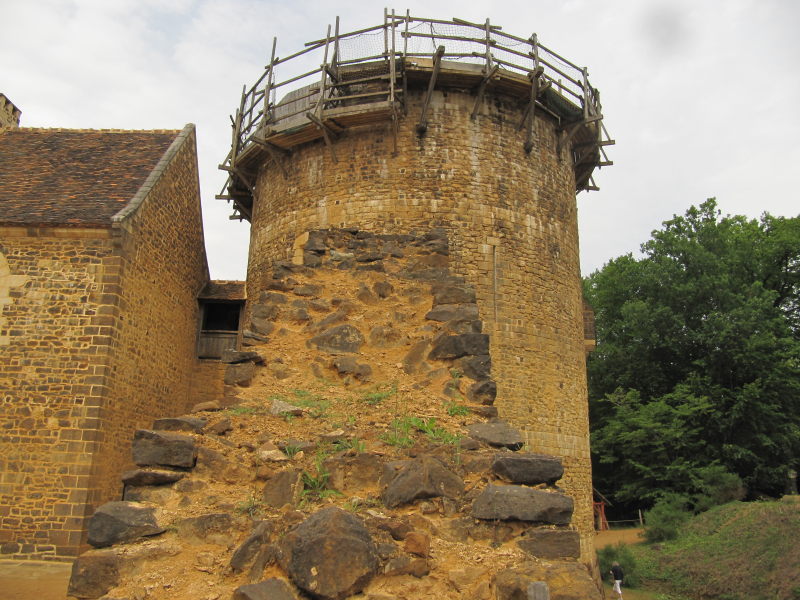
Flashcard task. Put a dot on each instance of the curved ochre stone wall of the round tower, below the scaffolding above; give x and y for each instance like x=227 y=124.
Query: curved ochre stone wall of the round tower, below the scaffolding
x=512 y=224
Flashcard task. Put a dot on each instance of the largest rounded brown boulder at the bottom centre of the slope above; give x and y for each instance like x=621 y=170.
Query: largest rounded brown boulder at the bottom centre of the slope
x=330 y=555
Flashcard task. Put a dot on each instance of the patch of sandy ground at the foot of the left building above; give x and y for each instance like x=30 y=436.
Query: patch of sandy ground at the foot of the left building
x=32 y=580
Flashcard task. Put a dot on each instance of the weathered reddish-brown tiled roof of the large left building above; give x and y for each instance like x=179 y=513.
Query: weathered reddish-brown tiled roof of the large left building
x=74 y=177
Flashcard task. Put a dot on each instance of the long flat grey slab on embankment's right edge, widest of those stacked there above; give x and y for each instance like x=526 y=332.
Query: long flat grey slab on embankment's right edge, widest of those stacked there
x=513 y=502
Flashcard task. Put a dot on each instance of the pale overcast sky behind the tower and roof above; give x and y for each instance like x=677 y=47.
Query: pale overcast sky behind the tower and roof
x=702 y=96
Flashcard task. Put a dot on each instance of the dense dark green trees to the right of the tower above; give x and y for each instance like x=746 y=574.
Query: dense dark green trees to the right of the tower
x=698 y=357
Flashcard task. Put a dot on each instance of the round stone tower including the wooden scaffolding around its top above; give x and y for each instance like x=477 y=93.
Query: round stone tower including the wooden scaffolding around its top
x=416 y=124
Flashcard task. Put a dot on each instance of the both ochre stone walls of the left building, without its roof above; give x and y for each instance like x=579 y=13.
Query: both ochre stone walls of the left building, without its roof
x=97 y=338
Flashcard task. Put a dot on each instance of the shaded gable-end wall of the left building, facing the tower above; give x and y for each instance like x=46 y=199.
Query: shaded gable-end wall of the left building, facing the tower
x=152 y=348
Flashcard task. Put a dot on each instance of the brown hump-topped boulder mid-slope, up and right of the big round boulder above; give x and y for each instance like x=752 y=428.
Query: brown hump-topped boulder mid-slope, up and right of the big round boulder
x=423 y=477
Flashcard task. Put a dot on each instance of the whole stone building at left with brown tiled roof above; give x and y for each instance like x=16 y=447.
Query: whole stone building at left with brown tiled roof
x=101 y=262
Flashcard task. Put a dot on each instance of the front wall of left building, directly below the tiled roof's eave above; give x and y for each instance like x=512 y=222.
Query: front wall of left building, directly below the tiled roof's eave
x=51 y=374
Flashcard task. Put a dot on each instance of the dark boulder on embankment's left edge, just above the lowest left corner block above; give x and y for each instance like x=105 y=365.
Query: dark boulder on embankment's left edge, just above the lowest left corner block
x=115 y=522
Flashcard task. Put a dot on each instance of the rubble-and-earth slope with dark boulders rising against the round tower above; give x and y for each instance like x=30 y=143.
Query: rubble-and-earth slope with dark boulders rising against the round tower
x=358 y=454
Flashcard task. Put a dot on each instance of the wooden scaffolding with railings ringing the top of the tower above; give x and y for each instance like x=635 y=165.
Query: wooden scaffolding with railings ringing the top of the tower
x=364 y=76
